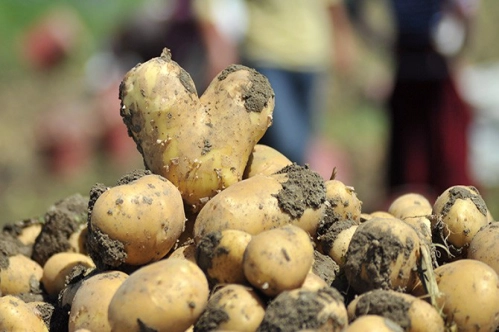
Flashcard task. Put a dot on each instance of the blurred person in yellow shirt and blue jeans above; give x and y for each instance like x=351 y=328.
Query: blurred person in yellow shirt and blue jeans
x=294 y=43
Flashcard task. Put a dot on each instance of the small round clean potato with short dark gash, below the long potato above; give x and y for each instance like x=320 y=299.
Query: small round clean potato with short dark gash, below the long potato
x=278 y=259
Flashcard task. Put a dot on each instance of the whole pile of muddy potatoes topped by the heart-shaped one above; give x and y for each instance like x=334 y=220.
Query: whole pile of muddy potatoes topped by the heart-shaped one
x=220 y=233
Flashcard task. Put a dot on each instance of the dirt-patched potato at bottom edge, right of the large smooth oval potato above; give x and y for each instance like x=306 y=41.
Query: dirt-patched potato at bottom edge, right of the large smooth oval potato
x=232 y=308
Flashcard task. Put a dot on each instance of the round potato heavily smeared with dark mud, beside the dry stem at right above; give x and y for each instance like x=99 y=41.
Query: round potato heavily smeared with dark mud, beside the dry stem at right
x=383 y=254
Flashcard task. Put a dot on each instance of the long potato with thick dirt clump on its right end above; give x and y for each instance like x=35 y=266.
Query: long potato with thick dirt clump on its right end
x=294 y=195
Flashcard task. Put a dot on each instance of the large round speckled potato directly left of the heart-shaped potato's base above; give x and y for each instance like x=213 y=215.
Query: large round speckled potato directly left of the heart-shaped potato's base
x=135 y=223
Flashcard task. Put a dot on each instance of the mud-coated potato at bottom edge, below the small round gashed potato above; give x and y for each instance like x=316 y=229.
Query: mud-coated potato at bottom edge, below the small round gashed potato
x=301 y=309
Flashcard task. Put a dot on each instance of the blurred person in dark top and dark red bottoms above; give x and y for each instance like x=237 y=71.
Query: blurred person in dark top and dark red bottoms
x=429 y=119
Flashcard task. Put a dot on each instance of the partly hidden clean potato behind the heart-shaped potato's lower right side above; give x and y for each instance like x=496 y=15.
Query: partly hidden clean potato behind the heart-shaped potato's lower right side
x=265 y=160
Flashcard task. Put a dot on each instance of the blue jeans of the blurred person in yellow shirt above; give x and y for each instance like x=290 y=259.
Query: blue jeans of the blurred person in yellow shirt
x=295 y=98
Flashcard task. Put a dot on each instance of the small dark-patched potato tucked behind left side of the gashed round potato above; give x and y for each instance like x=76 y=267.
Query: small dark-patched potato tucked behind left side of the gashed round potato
x=220 y=256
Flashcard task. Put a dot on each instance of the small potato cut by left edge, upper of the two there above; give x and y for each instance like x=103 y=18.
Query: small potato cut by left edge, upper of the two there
x=20 y=275
